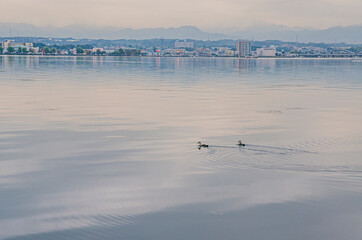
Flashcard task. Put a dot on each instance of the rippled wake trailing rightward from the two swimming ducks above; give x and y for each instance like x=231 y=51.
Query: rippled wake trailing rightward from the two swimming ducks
x=303 y=156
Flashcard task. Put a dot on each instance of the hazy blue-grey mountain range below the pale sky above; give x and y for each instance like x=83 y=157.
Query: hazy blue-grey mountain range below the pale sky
x=347 y=34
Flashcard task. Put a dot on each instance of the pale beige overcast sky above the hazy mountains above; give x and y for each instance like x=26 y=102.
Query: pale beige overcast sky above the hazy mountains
x=206 y=14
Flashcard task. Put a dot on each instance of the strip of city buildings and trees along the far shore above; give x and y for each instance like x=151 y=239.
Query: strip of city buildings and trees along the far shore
x=63 y=47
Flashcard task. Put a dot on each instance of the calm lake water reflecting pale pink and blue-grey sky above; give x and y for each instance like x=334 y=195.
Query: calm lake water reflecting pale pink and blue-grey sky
x=105 y=148
